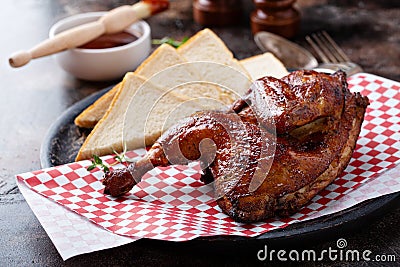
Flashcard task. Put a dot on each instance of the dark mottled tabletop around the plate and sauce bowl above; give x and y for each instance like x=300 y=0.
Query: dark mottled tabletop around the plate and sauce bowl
x=34 y=96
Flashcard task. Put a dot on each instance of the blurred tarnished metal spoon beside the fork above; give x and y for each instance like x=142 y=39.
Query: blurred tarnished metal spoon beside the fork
x=291 y=54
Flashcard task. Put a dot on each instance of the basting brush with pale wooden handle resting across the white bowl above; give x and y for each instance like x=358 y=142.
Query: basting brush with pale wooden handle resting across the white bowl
x=113 y=21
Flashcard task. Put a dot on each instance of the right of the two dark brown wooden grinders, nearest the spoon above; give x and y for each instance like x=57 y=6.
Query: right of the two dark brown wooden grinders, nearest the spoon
x=276 y=16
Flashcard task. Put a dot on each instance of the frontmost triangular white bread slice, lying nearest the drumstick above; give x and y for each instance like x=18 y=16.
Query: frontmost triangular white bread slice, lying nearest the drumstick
x=138 y=111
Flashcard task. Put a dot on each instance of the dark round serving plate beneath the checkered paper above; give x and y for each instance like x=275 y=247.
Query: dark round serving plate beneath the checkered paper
x=64 y=139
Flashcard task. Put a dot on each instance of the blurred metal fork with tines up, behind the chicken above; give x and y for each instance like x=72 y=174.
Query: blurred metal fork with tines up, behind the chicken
x=331 y=54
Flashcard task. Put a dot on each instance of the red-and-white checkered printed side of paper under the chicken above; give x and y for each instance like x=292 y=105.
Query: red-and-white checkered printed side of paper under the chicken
x=172 y=204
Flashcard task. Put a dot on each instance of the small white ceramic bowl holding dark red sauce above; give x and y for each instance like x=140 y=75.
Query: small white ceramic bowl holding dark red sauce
x=102 y=64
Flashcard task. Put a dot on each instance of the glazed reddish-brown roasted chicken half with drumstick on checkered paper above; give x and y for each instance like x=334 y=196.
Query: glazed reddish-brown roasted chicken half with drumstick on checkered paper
x=271 y=152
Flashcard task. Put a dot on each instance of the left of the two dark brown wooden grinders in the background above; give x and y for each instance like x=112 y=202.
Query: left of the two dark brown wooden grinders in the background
x=217 y=12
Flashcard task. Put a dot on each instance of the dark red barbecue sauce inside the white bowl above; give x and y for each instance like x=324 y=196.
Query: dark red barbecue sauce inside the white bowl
x=110 y=41
